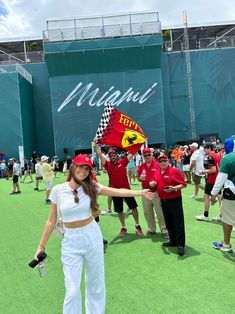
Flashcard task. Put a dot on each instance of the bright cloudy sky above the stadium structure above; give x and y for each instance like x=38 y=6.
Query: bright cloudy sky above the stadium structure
x=28 y=17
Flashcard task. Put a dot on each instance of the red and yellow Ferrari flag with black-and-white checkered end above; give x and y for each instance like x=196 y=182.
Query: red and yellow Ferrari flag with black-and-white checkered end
x=117 y=129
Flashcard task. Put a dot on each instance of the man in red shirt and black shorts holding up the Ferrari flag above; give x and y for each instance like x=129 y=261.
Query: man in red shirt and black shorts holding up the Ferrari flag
x=118 y=179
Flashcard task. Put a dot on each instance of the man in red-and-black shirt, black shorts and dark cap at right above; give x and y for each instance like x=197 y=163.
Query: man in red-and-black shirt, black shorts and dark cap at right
x=211 y=169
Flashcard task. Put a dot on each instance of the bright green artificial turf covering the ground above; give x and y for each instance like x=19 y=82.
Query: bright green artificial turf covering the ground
x=141 y=275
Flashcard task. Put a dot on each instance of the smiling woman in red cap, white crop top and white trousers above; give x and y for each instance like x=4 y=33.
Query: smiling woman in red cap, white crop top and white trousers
x=77 y=203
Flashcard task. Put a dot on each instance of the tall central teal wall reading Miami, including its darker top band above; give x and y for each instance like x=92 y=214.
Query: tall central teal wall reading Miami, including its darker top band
x=86 y=71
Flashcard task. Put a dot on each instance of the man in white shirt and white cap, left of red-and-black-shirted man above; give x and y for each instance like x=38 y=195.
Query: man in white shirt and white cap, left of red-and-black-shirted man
x=196 y=165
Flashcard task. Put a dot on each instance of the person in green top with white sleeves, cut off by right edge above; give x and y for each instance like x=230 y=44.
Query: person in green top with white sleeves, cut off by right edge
x=226 y=179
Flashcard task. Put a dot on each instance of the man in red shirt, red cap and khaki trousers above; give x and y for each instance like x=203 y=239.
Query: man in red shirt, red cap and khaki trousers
x=145 y=175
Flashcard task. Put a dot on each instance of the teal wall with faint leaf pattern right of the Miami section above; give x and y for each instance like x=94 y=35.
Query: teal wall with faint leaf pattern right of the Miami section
x=213 y=82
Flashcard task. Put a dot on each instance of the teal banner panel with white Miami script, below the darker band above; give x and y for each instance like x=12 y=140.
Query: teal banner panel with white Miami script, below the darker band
x=78 y=103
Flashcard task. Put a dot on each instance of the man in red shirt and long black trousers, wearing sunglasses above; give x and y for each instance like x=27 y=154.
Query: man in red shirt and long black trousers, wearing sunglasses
x=168 y=182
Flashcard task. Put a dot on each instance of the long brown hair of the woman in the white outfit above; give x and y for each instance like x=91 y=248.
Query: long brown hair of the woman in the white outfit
x=89 y=187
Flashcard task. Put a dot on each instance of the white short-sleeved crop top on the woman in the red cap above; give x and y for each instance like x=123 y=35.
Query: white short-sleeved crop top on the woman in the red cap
x=62 y=196
